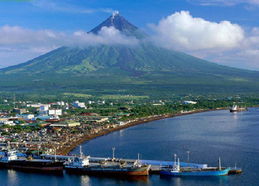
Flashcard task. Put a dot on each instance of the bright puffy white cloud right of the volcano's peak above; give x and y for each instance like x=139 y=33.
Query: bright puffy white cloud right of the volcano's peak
x=182 y=31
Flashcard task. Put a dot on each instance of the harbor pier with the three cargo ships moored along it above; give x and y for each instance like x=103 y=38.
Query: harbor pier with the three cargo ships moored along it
x=81 y=164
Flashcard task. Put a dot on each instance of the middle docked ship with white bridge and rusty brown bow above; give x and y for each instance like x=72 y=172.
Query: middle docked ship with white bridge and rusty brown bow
x=112 y=167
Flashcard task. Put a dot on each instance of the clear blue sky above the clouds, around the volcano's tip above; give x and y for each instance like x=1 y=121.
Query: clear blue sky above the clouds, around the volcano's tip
x=66 y=15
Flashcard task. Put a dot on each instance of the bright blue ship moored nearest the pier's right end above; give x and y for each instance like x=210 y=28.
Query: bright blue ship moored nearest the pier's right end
x=176 y=170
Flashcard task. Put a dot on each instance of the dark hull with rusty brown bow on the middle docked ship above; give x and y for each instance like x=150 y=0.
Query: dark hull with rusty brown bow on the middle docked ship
x=142 y=171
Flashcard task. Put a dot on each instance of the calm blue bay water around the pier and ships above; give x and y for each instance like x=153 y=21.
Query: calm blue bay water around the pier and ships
x=233 y=137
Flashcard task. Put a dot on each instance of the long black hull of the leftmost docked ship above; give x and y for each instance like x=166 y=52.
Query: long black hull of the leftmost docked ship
x=33 y=166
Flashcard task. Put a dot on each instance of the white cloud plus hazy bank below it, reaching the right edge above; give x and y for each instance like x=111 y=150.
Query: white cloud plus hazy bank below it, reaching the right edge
x=224 y=42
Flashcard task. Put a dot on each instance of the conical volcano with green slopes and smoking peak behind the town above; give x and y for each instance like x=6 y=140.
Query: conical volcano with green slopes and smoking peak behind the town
x=142 y=67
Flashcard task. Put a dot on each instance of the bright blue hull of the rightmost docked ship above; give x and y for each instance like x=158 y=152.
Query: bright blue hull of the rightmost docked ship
x=196 y=173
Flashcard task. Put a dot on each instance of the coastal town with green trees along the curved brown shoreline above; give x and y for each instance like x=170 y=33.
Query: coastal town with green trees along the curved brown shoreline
x=58 y=127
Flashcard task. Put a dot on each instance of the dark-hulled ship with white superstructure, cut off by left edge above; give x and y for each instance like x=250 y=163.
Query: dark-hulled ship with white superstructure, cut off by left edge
x=10 y=161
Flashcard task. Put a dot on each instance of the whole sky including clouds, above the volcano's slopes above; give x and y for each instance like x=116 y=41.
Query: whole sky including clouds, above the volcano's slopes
x=23 y=22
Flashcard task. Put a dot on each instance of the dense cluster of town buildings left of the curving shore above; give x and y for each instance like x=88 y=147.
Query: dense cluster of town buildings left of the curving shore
x=49 y=128
